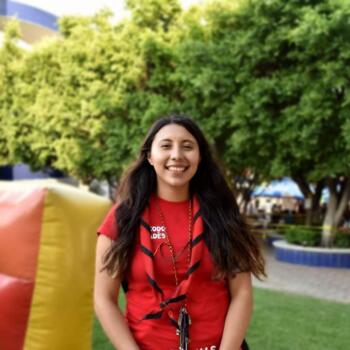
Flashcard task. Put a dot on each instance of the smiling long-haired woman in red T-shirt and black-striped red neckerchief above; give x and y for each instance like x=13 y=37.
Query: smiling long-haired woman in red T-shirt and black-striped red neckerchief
x=178 y=245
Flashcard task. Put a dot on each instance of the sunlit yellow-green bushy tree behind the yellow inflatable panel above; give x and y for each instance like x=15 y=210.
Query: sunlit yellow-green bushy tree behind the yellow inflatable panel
x=78 y=102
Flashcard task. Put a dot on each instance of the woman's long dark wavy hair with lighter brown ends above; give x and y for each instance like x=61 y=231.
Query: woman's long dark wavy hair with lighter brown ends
x=231 y=243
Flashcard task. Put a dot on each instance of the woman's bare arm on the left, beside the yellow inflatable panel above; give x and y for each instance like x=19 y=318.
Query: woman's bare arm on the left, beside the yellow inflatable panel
x=106 y=293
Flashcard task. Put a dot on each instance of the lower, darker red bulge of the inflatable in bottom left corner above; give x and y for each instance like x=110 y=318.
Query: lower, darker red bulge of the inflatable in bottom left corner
x=15 y=300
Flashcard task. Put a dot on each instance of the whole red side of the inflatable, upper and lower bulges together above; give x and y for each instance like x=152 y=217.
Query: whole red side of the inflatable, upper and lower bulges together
x=20 y=226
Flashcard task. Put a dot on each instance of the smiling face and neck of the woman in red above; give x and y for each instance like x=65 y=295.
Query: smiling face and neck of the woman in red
x=175 y=157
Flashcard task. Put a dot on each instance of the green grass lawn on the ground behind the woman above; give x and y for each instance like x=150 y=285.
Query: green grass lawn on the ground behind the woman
x=283 y=321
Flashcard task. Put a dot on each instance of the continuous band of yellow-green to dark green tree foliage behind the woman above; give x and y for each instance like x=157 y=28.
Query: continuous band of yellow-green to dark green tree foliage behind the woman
x=267 y=81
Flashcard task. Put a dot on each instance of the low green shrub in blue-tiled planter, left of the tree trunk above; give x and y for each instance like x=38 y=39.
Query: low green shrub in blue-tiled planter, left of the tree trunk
x=305 y=236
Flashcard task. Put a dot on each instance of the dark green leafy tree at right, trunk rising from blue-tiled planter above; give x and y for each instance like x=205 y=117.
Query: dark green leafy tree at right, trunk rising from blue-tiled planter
x=291 y=107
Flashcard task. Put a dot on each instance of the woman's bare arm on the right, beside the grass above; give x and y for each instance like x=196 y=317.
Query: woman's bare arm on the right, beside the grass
x=239 y=312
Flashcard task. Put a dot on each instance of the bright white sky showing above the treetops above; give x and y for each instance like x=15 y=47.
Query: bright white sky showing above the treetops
x=86 y=7
